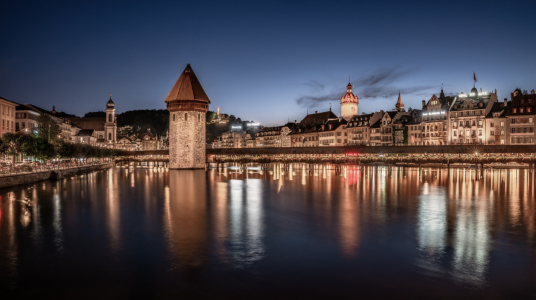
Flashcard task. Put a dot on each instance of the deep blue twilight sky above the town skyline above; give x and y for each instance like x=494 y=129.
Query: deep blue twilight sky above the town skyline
x=265 y=61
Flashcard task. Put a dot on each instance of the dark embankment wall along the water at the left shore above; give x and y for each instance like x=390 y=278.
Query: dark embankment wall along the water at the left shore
x=31 y=177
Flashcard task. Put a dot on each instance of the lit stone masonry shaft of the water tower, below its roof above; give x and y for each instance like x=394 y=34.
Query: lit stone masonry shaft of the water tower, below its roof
x=187 y=140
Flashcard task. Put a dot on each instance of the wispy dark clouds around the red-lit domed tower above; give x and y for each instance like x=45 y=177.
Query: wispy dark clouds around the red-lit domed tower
x=379 y=84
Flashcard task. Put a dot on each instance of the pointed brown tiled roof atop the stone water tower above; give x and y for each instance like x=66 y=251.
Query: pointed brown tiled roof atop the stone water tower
x=187 y=87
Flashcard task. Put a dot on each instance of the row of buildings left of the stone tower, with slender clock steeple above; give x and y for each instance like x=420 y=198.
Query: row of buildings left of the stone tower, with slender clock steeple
x=94 y=131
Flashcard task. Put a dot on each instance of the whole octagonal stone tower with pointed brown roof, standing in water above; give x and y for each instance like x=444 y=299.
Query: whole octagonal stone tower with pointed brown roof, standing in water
x=187 y=104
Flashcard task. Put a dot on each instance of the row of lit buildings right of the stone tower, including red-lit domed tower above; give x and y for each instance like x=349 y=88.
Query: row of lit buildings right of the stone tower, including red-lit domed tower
x=473 y=118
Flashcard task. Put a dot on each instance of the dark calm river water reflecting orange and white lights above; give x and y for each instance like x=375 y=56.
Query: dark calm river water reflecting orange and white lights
x=298 y=232
